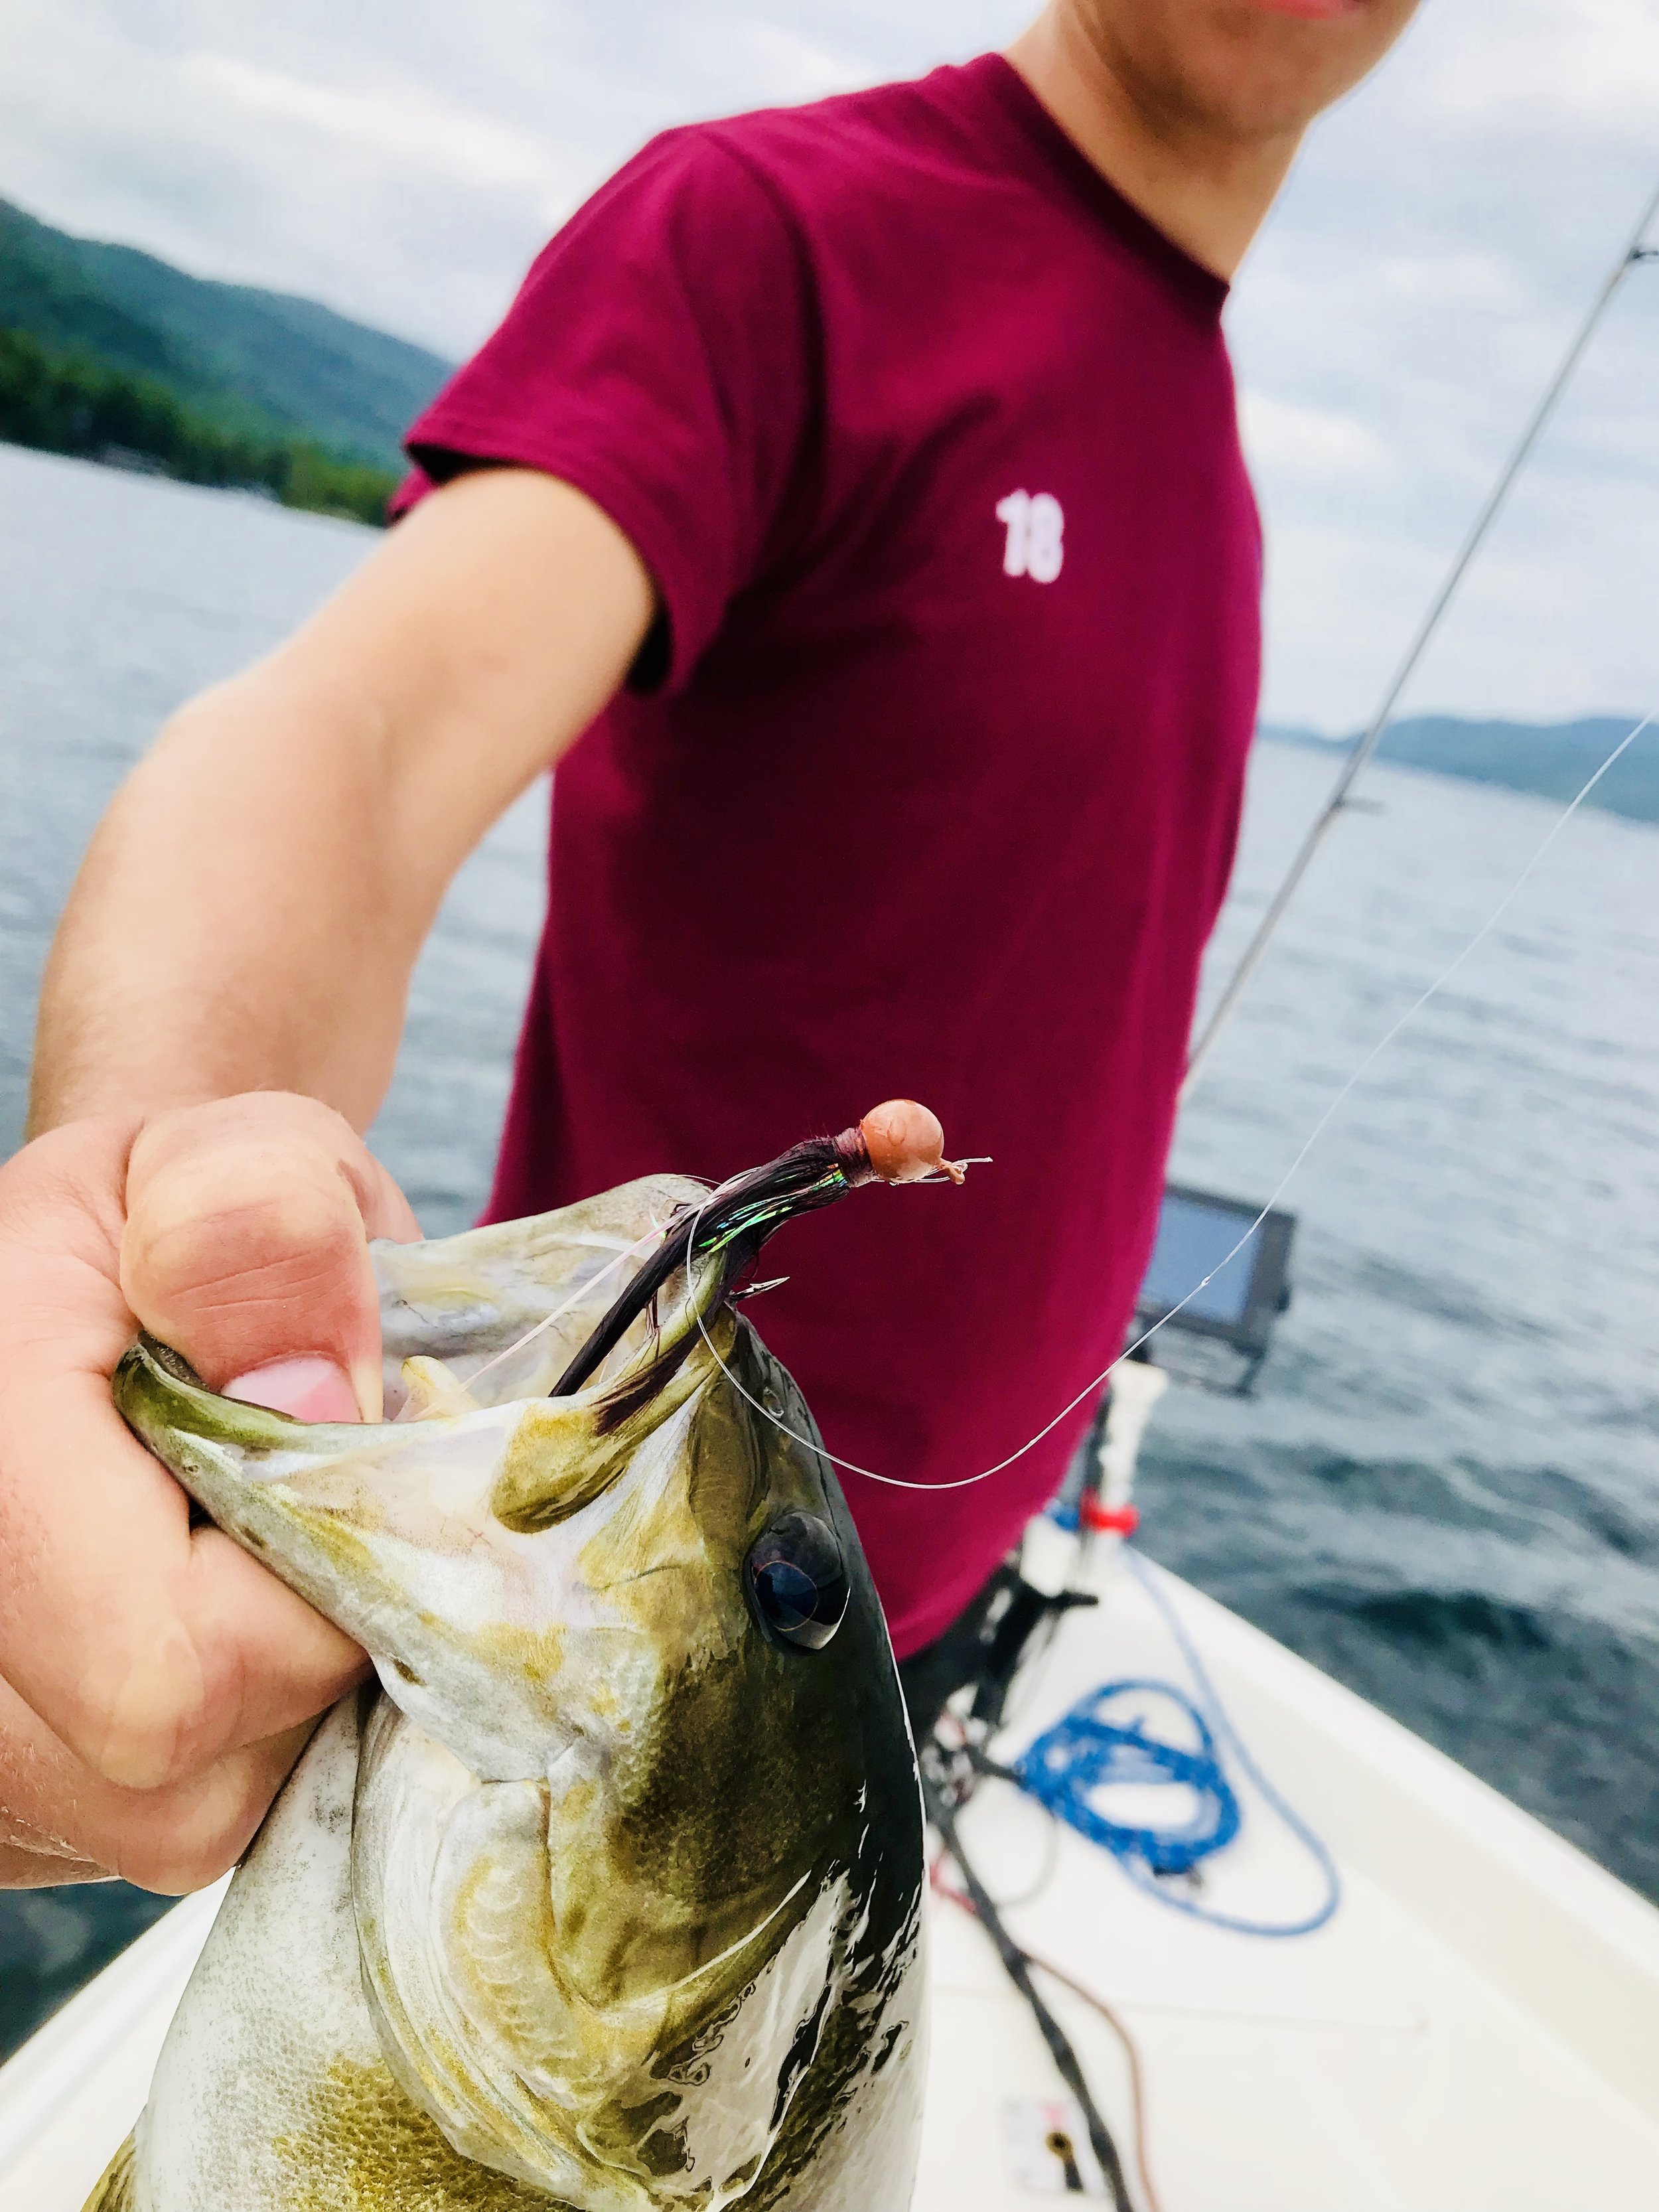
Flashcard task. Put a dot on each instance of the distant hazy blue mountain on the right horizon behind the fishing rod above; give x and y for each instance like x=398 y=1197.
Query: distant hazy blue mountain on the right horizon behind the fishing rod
x=1554 y=760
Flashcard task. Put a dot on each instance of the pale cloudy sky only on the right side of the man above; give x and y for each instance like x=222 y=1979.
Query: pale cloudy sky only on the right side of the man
x=1434 y=253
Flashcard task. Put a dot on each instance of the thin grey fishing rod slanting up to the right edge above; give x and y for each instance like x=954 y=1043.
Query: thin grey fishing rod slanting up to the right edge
x=1355 y=766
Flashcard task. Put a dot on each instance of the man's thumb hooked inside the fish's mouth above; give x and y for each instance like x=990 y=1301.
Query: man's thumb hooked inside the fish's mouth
x=247 y=1249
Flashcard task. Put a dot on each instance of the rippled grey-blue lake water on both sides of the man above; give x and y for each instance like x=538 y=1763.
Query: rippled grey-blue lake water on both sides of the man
x=1448 y=1488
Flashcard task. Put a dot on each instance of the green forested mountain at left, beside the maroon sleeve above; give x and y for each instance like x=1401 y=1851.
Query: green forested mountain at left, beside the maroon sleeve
x=112 y=353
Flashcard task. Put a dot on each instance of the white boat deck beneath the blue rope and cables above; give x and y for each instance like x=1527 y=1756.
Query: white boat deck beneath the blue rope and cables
x=1477 y=2032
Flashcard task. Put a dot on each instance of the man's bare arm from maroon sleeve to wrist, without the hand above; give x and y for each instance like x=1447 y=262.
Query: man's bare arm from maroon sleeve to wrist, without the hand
x=255 y=899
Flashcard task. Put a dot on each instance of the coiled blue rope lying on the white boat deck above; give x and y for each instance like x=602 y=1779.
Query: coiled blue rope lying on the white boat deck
x=1087 y=1751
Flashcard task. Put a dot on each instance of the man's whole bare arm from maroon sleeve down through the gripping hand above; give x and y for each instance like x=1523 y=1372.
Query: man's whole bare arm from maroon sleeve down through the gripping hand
x=231 y=972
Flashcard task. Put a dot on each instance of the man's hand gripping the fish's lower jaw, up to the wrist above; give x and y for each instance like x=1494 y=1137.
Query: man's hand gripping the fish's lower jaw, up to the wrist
x=156 y=1682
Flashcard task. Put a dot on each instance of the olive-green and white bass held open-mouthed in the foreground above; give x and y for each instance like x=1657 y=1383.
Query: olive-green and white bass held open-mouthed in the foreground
x=607 y=1892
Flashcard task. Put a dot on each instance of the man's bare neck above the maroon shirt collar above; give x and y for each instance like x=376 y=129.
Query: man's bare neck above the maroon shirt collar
x=1204 y=191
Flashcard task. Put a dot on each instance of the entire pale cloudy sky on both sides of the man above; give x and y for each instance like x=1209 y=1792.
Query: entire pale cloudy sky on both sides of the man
x=1426 y=269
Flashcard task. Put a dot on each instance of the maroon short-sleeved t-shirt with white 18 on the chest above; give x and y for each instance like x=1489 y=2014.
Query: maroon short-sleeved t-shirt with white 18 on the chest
x=930 y=778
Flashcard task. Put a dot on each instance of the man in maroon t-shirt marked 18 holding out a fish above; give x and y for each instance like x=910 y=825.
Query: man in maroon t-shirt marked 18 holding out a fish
x=864 y=483
